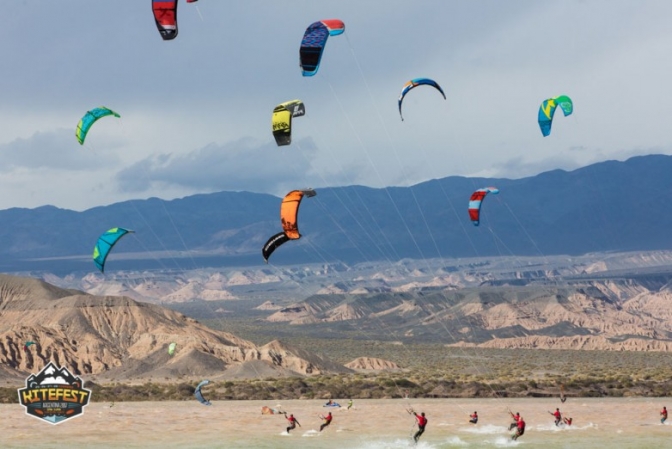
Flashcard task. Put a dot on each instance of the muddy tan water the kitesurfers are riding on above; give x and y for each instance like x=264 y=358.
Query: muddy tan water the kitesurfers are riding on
x=631 y=422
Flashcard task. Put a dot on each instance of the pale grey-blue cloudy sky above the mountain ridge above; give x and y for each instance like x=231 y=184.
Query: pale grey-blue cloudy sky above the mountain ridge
x=196 y=111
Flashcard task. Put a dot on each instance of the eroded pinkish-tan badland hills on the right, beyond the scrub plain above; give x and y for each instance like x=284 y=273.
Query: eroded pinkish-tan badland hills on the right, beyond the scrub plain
x=610 y=314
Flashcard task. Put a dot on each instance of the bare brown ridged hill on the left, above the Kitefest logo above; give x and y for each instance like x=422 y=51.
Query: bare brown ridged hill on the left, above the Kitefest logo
x=117 y=337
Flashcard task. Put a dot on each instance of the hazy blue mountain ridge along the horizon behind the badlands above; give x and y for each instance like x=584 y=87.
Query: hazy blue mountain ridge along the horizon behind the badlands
x=609 y=206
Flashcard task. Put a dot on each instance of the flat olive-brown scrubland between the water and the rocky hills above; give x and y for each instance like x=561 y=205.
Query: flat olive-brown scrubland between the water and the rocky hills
x=429 y=371
